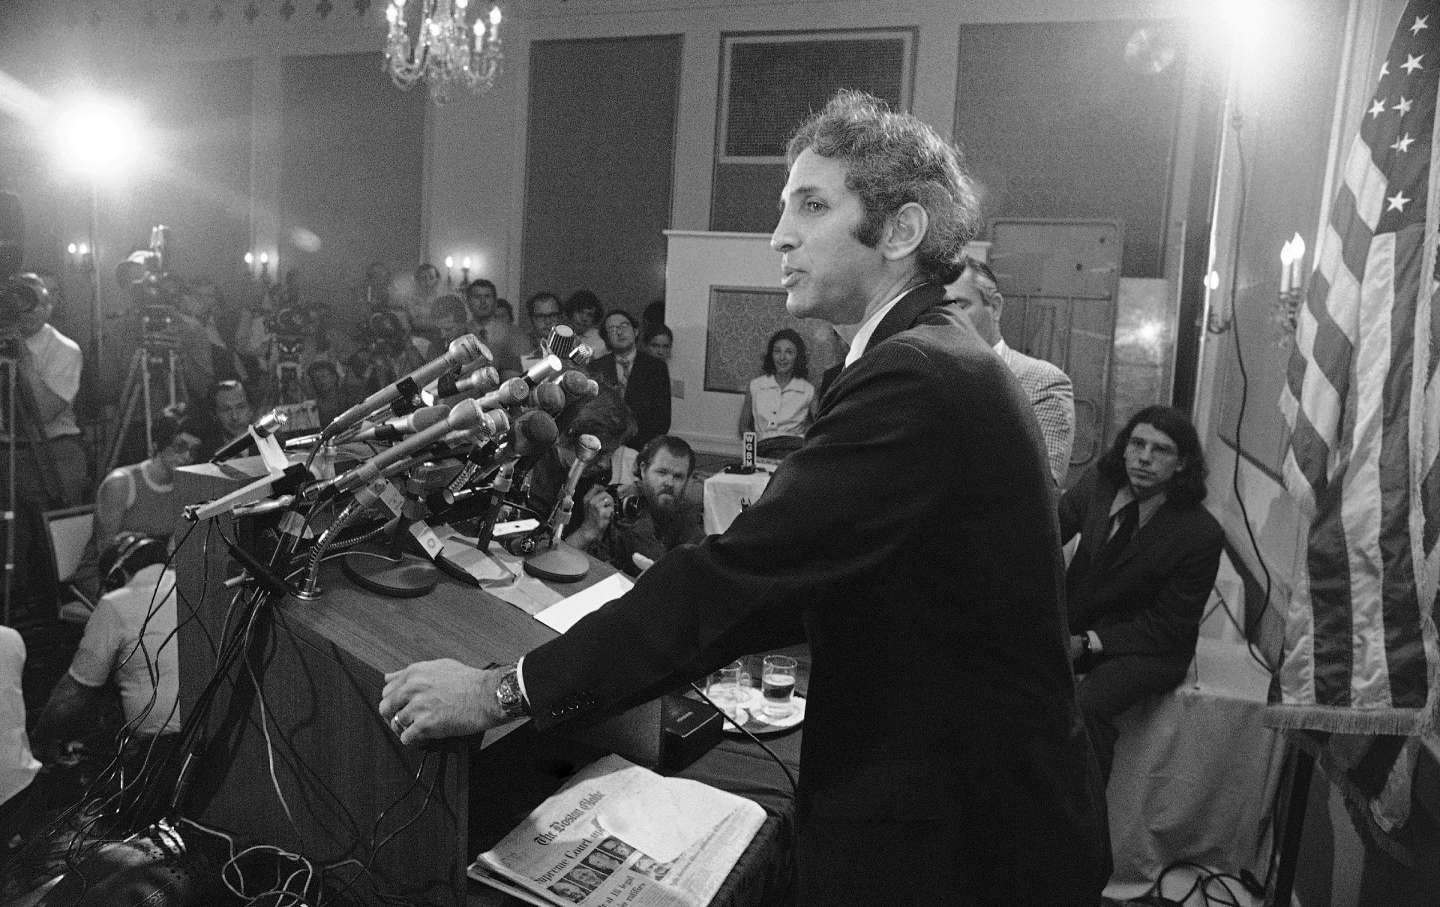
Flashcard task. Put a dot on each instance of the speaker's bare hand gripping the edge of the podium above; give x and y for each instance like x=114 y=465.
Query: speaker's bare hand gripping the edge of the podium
x=431 y=700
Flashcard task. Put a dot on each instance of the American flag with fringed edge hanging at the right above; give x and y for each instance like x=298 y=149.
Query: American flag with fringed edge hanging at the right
x=1363 y=402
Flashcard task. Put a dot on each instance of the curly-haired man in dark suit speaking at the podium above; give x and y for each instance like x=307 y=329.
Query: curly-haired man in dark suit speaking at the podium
x=912 y=541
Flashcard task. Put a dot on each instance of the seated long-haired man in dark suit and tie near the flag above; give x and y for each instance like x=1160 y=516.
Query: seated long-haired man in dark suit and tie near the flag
x=1144 y=569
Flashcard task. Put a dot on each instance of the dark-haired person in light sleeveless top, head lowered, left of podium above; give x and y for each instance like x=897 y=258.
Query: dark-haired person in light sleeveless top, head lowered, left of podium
x=142 y=497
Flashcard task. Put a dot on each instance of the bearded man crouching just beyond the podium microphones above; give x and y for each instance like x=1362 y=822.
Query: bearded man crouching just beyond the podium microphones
x=654 y=515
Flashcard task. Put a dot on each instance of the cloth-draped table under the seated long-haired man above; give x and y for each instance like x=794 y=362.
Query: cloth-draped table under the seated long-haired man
x=1196 y=774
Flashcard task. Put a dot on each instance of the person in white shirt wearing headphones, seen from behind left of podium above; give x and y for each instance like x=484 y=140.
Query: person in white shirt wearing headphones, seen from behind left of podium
x=129 y=646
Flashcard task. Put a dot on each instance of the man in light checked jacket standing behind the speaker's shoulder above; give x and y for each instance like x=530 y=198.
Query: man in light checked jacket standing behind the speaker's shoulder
x=1049 y=389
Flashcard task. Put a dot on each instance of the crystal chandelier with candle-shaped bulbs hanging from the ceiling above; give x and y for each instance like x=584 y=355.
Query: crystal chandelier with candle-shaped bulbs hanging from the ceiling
x=447 y=51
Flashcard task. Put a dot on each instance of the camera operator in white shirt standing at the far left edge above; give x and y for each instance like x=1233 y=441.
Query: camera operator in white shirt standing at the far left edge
x=44 y=446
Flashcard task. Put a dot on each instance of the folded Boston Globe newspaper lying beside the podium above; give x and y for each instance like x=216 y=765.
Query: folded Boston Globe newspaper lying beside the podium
x=620 y=834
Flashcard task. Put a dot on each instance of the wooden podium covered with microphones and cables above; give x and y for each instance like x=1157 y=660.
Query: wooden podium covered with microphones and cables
x=297 y=719
